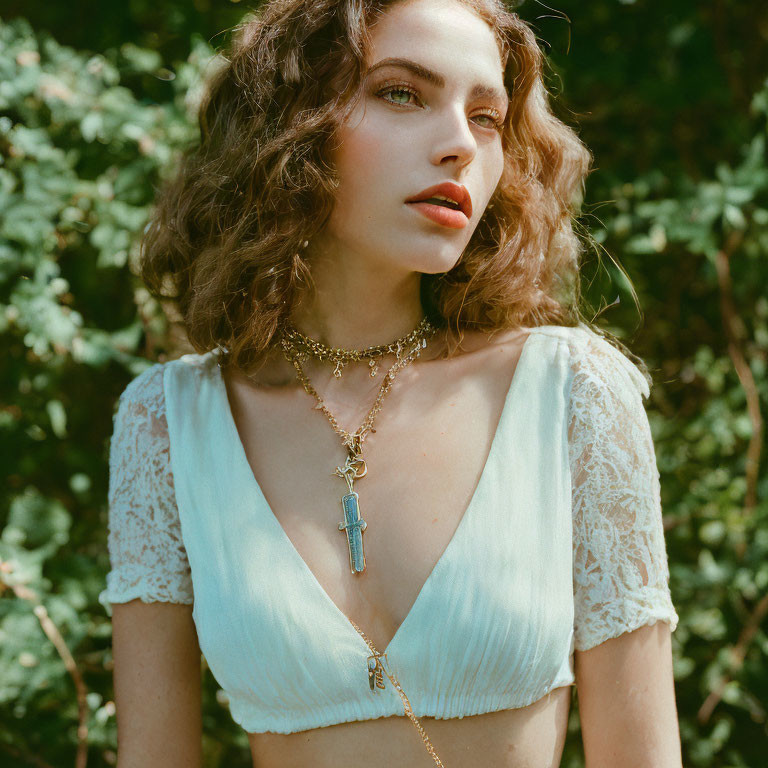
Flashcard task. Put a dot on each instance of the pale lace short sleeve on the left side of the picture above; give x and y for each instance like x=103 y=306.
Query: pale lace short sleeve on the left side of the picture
x=147 y=556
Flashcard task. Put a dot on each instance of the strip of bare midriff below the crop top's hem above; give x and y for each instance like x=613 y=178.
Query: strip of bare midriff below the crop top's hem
x=528 y=737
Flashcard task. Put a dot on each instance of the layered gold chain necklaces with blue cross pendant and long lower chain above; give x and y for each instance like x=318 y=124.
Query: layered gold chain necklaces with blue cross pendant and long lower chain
x=296 y=346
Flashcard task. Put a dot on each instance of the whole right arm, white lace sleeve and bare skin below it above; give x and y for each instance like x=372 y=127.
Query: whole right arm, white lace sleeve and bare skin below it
x=623 y=613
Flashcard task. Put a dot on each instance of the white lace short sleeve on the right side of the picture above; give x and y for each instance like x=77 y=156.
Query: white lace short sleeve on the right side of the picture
x=620 y=567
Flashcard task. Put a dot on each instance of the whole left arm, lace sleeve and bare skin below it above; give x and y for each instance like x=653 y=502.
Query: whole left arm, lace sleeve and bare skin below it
x=157 y=662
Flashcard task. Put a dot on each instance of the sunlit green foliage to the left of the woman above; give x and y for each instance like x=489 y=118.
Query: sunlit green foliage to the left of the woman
x=80 y=157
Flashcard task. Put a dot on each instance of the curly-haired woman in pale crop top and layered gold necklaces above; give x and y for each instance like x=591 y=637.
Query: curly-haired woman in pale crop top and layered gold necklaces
x=499 y=534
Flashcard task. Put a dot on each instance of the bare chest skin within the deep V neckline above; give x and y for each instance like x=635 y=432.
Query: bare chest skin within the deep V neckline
x=425 y=461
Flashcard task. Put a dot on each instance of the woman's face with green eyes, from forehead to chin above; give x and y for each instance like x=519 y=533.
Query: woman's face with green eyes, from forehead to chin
x=414 y=130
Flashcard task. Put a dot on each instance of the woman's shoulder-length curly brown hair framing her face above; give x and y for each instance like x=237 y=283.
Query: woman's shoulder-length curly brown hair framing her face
x=228 y=228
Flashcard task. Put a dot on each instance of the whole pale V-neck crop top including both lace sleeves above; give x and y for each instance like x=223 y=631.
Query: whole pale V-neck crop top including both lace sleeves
x=566 y=519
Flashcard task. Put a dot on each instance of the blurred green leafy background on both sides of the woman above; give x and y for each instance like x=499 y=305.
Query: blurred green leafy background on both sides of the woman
x=96 y=100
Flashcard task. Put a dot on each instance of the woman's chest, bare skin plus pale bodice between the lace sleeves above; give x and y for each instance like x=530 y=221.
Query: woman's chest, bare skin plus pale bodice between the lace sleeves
x=479 y=619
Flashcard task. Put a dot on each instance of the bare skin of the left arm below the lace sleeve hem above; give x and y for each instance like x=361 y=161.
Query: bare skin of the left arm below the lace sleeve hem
x=157 y=680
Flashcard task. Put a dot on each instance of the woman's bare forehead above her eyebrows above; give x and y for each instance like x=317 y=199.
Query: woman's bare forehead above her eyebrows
x=444 y=35
